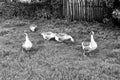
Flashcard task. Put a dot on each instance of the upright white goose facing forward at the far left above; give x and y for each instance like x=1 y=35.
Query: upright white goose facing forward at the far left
x=27 y=45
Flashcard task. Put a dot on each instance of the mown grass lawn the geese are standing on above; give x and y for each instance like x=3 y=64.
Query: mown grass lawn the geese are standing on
x=50 y=60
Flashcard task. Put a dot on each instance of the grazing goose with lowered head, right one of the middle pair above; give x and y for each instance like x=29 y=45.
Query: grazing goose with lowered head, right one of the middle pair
x=63 y=36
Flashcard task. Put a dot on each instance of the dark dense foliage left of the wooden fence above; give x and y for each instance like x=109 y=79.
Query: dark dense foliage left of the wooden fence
x=48 y=9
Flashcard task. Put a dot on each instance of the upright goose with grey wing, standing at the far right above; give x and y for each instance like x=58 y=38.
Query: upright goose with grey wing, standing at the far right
x=89 y=46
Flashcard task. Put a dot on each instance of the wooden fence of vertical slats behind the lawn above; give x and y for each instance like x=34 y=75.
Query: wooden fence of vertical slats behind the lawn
x=87 y=10
